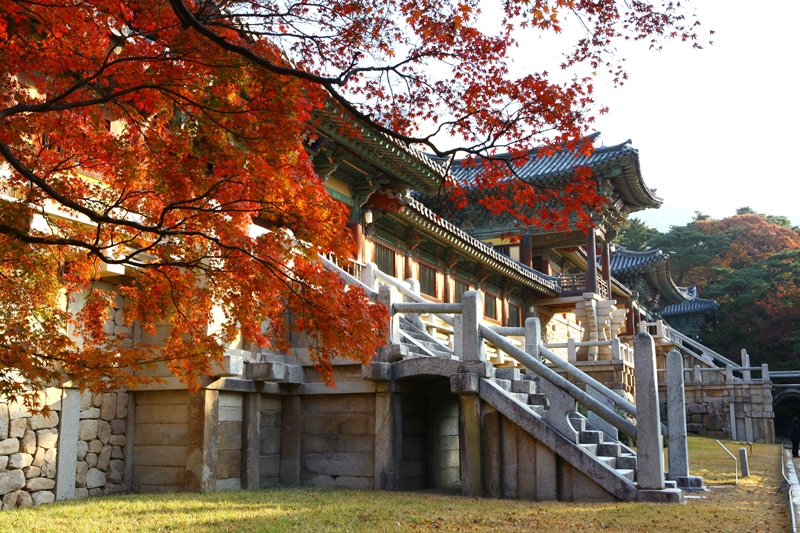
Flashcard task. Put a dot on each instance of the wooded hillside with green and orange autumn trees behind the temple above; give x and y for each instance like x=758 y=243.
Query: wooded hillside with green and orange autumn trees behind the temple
x=750 y=264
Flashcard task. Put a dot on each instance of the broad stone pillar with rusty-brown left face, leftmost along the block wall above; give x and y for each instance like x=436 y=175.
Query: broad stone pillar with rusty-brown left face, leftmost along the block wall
x=201 y=446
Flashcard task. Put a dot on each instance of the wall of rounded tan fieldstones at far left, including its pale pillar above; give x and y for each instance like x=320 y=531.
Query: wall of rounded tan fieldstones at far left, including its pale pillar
x=89 y=430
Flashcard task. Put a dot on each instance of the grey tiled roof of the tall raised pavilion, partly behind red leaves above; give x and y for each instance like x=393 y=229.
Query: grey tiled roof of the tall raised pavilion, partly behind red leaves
x=560 y=167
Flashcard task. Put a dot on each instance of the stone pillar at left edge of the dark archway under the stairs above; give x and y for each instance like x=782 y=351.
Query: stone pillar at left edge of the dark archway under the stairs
x=388 y=441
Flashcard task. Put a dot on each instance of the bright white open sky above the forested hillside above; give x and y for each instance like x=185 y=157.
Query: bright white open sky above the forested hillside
x=716 y=129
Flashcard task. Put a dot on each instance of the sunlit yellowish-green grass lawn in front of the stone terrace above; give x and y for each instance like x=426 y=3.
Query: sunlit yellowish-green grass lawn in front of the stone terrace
x=751 y=506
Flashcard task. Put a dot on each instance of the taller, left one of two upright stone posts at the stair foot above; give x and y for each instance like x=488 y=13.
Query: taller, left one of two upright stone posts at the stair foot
x=648 y=417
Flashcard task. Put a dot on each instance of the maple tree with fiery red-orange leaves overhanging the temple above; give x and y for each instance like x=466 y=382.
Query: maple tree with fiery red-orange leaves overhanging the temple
x=151 y=136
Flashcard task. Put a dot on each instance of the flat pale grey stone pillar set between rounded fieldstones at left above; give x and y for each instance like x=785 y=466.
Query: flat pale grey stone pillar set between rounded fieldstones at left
x=67 y=458
